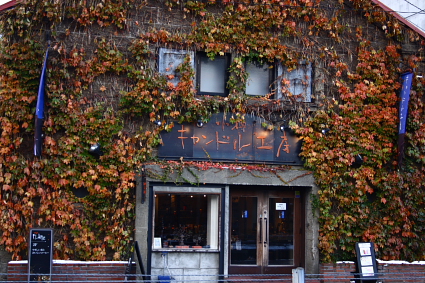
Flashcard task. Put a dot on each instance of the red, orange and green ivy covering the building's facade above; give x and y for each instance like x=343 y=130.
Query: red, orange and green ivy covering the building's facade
x=104 y=88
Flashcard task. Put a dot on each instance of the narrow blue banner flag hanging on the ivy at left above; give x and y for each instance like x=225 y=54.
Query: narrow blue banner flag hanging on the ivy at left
x=39 y=111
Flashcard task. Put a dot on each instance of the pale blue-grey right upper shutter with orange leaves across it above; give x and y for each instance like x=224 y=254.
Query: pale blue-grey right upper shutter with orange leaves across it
x=296 y=84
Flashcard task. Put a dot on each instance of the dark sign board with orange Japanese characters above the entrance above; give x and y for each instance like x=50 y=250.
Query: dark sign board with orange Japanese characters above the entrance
x=220 y=140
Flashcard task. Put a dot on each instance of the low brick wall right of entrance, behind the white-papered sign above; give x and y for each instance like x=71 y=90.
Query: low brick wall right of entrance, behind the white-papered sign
x=389 y=272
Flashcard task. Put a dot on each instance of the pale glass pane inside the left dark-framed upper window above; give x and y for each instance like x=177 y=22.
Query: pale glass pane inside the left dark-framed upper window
x=213 y=75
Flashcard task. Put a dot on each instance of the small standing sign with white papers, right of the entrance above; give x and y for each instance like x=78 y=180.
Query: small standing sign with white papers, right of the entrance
x=366 y=262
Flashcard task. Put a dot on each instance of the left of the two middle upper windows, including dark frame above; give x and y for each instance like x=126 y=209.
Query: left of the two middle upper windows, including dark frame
x=212 y=74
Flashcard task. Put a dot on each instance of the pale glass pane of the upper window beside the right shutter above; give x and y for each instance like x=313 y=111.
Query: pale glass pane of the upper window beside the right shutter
x=258 y=80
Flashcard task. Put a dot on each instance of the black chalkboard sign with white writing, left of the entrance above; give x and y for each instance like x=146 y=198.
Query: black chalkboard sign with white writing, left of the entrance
x=40 y=255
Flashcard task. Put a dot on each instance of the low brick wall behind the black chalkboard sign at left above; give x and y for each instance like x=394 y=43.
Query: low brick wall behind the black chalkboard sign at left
x=73 y=271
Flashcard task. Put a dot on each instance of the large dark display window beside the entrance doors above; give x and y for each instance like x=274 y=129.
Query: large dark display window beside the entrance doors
x=185 y=219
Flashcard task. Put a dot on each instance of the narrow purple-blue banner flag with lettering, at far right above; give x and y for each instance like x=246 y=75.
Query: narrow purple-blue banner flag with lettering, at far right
x=404 y=106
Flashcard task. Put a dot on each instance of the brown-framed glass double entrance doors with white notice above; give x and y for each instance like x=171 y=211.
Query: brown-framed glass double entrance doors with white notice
x=266 y=232
